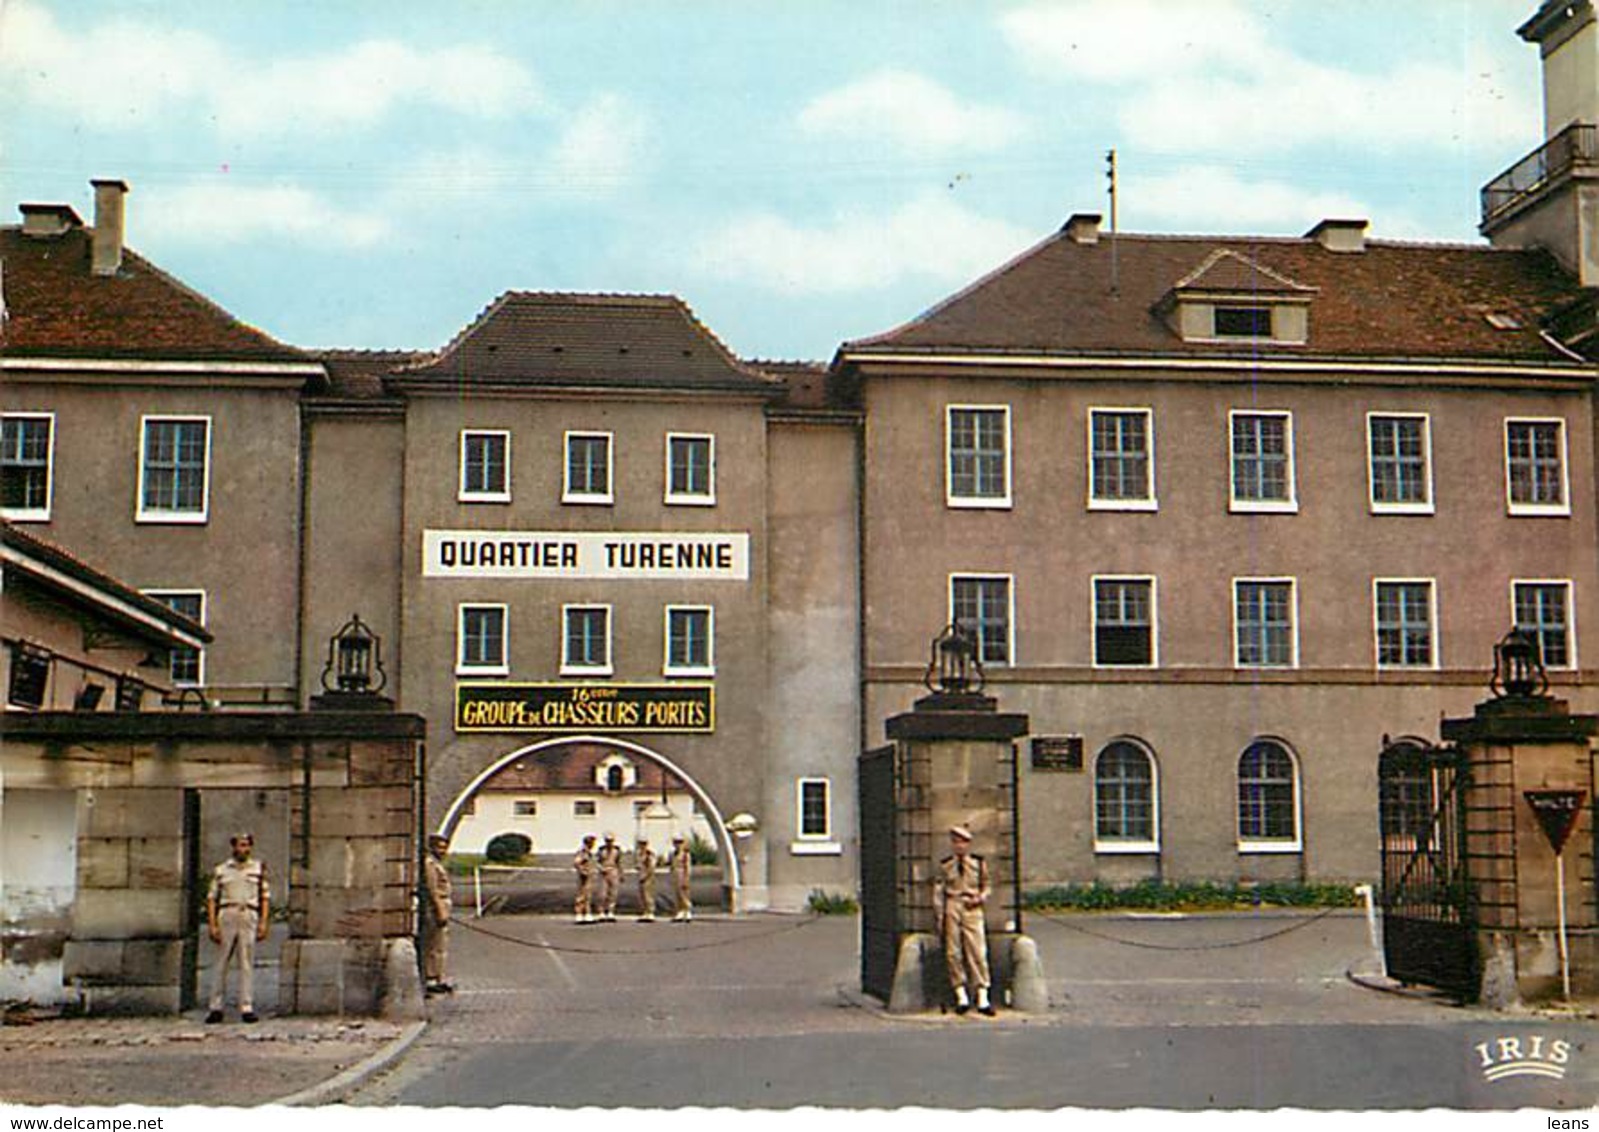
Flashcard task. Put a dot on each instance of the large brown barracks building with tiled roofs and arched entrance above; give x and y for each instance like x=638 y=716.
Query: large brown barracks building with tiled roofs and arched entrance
x=1224 y=514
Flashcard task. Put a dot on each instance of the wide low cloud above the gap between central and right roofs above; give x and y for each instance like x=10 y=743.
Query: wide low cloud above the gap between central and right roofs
x=927 y=239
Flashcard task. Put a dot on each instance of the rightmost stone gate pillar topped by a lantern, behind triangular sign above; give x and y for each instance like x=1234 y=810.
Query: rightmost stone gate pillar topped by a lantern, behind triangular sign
x=1526 y=741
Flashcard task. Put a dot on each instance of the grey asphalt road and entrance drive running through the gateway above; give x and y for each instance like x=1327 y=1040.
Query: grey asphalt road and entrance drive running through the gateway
x=762 y=1013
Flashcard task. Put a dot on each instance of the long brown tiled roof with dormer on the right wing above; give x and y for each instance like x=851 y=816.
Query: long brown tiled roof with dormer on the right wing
x=1392 y=300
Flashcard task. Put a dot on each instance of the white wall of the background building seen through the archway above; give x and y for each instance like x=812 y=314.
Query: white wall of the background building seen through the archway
x=557 y=831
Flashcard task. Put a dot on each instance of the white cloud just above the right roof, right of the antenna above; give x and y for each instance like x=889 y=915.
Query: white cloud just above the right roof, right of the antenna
x=1213 y=199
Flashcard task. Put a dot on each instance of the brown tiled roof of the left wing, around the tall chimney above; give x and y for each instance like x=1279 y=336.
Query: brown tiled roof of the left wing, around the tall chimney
x=57 y=308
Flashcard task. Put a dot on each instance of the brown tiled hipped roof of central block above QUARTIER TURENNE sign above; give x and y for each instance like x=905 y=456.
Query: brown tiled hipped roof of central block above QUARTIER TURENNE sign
x=645 y=341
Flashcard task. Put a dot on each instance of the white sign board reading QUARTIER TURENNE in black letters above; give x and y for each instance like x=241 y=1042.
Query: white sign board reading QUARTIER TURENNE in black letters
x=588 y=554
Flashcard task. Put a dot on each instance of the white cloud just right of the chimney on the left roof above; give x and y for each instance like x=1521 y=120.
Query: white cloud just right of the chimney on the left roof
x=221 y=213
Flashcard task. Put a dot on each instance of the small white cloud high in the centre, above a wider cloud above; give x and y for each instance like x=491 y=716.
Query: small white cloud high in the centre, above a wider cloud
x=912 y=113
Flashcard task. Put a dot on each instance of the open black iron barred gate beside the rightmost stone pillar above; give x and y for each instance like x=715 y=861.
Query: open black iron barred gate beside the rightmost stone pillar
x=1430 y=911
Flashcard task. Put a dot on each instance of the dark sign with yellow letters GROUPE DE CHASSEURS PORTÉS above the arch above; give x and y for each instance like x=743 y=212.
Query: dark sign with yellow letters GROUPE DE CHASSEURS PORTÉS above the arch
x=586 y=707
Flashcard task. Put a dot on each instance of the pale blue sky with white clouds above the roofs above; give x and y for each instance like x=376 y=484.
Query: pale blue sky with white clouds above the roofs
x=373 y=175
